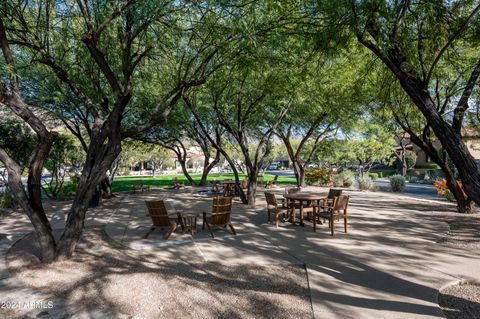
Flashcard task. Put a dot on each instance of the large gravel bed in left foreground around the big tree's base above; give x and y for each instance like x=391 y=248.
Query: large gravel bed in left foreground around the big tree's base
x=102 y=276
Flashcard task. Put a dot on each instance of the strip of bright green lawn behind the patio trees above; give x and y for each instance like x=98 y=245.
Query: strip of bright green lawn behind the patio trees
x=121 y=184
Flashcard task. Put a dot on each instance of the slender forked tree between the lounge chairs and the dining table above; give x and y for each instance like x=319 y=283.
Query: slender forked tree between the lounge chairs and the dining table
x=250 y=109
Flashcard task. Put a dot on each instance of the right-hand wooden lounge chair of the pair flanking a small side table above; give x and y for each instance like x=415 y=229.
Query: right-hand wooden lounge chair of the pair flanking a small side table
x=221 y=213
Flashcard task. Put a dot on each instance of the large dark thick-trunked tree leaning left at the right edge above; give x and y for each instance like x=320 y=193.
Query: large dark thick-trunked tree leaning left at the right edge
x=419 y=42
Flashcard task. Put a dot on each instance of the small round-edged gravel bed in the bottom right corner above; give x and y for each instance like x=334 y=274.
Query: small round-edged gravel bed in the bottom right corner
x=461 y=301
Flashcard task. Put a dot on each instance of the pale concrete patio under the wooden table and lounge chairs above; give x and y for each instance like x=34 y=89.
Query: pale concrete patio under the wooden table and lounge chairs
x=387 y=266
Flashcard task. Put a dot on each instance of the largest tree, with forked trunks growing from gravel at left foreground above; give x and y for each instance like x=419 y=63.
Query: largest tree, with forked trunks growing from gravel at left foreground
x=98 y=54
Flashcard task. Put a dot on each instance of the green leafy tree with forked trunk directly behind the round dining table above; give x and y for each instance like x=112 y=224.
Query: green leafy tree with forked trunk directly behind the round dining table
x=326 y=100
